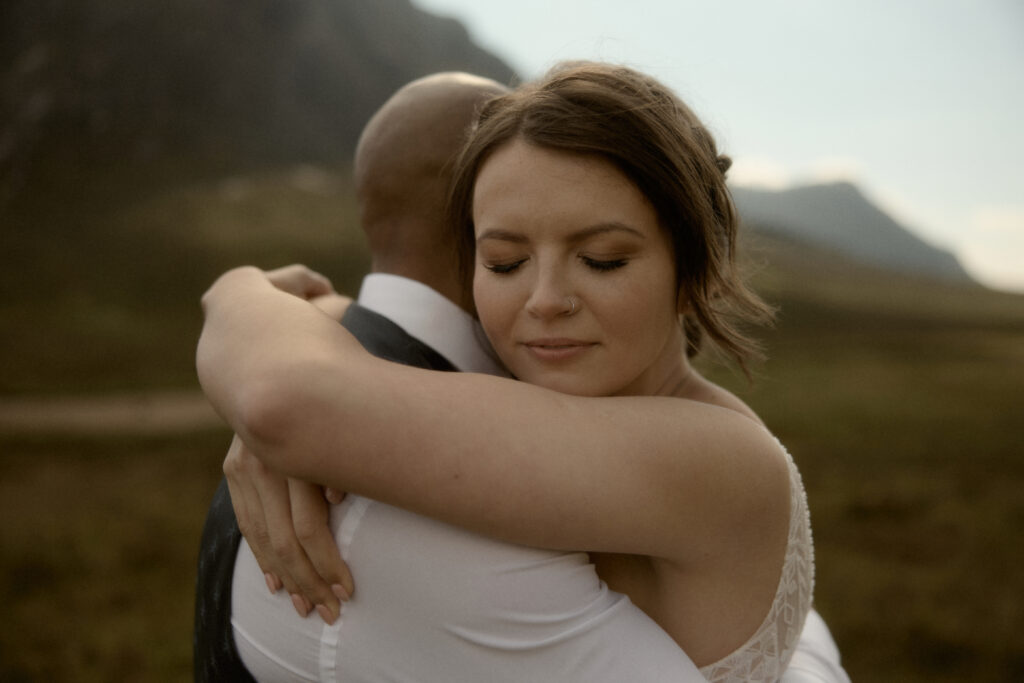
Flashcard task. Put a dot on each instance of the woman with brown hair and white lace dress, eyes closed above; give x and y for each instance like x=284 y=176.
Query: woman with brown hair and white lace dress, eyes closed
x=599 y=211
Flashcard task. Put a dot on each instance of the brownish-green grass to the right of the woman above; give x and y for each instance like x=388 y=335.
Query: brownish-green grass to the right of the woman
x=903 y=411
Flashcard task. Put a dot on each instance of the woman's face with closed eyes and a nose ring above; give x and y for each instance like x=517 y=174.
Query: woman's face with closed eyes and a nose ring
x=551 y=227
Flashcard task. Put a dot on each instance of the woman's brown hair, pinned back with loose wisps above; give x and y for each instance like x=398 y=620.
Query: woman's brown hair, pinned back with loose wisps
x=656 y=141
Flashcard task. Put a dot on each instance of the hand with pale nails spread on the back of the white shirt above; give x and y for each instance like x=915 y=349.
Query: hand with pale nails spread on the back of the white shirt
x=285 y=523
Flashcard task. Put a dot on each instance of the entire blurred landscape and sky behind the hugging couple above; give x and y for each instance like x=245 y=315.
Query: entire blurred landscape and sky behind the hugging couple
x=145 y=148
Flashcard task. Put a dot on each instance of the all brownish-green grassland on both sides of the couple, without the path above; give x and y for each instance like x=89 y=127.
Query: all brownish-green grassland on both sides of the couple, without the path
x=899 y=400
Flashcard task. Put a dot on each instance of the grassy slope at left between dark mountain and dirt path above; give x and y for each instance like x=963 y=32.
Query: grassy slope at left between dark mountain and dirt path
x=117 y=273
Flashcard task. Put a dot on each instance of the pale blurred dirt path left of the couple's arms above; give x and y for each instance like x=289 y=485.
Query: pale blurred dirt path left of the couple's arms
x=150 y=414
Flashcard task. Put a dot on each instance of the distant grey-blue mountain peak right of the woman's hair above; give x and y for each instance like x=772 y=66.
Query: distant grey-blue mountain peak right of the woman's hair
x=838 y=217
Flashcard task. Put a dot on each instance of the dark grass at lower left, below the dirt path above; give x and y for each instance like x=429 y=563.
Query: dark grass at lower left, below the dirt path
x=98 y=556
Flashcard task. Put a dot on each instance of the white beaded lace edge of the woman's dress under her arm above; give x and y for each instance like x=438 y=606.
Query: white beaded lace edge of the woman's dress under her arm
x=766 y=655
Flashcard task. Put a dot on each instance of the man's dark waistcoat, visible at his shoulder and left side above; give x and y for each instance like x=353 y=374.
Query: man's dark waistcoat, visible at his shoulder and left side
x=215 y=656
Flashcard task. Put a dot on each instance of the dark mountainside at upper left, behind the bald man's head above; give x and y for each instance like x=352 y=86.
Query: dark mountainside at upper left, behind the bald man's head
x=238 y=83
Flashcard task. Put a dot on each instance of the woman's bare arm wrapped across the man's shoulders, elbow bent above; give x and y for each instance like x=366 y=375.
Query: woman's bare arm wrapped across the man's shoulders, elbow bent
x=646 y=476
